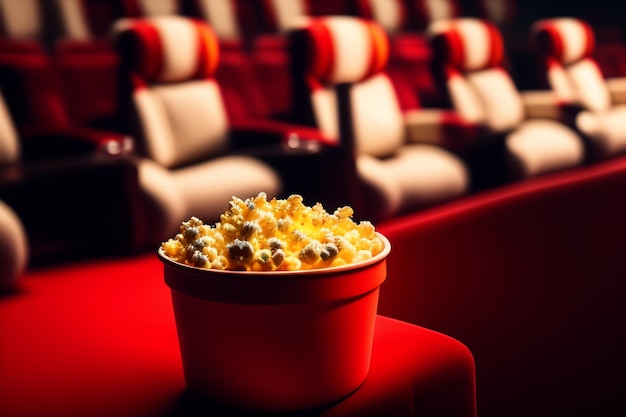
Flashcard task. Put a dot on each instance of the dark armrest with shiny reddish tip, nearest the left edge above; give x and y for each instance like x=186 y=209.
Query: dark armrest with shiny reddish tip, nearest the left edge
x=46 y=143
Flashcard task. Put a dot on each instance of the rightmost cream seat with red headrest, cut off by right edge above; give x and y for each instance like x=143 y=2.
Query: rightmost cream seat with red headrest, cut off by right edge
x=566 y=47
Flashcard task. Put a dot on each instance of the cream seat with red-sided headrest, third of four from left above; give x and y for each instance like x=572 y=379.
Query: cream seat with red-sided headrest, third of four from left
x=469 y=56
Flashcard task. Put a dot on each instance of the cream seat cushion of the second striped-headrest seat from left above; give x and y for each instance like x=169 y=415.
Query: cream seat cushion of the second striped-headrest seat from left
x=427 y=175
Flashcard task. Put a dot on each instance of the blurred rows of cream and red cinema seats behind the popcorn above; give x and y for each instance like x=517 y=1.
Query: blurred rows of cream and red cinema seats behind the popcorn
x=196 y=138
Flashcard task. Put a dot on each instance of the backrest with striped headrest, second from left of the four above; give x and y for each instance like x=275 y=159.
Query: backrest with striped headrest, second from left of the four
x=349 y=50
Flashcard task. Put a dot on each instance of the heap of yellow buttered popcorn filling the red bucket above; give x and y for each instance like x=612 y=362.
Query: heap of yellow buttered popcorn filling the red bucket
x=280 y=234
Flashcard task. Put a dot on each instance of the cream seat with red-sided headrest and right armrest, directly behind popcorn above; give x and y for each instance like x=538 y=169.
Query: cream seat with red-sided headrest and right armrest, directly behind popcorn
x=195 y=155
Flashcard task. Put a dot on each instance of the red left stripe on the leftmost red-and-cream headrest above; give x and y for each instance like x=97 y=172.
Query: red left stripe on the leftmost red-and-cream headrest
x=149 y=49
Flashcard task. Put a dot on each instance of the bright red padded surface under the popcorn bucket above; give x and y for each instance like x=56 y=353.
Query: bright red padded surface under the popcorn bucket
x=99 y=338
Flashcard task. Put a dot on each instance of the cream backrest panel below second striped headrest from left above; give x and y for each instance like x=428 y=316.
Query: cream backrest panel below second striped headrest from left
x=378 y=130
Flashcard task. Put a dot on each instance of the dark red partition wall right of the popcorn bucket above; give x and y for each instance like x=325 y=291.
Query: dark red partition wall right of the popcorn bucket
x=530 y=277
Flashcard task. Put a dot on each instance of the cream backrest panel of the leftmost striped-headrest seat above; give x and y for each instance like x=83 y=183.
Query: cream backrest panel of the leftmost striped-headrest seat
x=201 y=124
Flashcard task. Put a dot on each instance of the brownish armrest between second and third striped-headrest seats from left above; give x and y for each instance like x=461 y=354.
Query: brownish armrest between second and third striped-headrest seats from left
x=440 y=127
